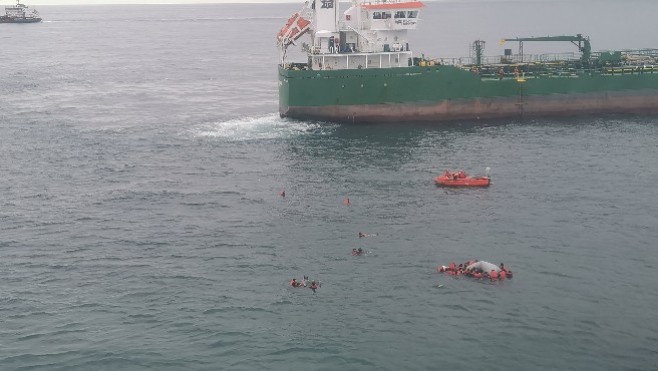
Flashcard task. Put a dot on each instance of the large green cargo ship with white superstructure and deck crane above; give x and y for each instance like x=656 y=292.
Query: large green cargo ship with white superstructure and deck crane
x=360 y=68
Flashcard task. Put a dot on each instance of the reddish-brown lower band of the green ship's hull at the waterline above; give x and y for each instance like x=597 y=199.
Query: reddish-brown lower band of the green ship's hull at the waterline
x=559 y=105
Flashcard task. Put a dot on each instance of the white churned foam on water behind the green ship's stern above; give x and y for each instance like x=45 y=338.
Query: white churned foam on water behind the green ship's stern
x=269 y=126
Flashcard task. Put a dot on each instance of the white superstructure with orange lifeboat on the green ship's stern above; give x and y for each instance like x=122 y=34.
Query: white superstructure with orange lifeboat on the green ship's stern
x=369 y=34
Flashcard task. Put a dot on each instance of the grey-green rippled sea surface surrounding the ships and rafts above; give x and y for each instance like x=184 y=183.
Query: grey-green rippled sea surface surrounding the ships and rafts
x=141 y=226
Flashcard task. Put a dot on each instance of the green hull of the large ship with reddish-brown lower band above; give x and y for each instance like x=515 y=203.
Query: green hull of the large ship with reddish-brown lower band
x=443 y=93
